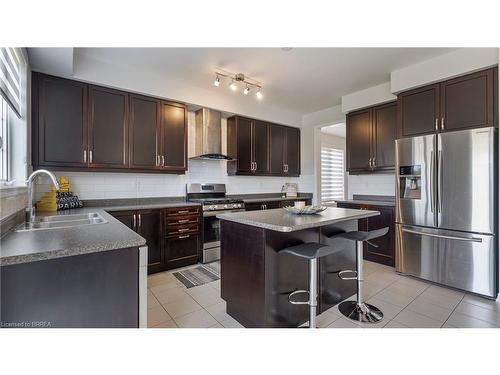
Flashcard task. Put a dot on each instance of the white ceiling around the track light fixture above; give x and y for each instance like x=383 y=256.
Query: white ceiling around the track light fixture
x=302 y=80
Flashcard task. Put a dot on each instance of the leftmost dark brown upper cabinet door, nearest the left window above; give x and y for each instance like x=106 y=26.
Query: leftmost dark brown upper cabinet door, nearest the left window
x=60 y=127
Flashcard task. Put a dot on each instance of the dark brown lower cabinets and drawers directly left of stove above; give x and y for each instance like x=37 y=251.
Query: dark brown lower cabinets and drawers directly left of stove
x=170 y=244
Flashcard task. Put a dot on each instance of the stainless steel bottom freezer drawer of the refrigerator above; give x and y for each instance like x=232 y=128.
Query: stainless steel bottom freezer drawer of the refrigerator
x=464 y=261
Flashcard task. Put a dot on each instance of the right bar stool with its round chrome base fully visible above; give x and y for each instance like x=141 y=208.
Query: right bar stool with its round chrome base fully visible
x=359 y=310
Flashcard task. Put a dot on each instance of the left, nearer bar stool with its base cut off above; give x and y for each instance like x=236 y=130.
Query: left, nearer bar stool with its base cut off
x=311 y=251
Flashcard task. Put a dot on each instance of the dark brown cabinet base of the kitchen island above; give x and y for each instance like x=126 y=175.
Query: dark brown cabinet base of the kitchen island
x=256 y=278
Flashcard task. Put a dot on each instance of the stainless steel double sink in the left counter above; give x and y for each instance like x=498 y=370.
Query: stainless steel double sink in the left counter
x=62 y=221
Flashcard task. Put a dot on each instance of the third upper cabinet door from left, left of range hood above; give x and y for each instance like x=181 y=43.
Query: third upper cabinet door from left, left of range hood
x=144 y=132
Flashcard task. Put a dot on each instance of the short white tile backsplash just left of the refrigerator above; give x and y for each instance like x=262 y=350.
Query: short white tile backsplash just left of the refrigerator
x=371 y=184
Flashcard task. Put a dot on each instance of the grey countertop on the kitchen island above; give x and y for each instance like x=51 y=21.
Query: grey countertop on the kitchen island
x=282 y=221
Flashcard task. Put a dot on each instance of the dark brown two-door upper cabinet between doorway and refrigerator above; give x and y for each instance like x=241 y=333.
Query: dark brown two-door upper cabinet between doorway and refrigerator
x=370 y=136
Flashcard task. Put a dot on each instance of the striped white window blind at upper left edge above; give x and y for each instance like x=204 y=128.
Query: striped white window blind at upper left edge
x=11 y=69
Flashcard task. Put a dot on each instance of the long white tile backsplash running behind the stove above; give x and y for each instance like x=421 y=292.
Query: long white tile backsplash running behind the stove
x=90 y=185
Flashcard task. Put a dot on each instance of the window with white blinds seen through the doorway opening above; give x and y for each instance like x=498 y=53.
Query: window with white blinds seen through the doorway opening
x=332 y=174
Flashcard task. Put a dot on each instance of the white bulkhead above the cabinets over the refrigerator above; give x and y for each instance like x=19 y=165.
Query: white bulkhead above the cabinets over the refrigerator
x=445 y=66
